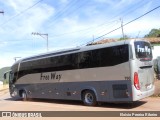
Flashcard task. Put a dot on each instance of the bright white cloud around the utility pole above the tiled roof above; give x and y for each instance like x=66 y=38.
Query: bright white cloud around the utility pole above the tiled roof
x=141 y=26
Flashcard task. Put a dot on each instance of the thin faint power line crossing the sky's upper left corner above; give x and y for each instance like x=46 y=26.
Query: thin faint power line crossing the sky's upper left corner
x=22 y=12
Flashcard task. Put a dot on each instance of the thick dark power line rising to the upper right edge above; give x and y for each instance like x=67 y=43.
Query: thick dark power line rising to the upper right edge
x=128 y=22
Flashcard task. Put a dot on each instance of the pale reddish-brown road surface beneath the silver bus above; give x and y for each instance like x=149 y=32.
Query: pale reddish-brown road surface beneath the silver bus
x=9 y=104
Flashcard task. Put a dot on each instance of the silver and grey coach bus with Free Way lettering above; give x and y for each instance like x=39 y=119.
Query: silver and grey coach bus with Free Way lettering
x=113 y=72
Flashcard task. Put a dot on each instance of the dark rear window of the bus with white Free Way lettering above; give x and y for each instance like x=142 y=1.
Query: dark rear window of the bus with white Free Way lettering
x=143 y=50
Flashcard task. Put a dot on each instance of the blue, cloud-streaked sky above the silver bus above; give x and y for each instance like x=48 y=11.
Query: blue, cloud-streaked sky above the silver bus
x=68 y=23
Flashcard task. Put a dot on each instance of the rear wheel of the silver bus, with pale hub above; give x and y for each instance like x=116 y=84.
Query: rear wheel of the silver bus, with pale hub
x=89 y=98
